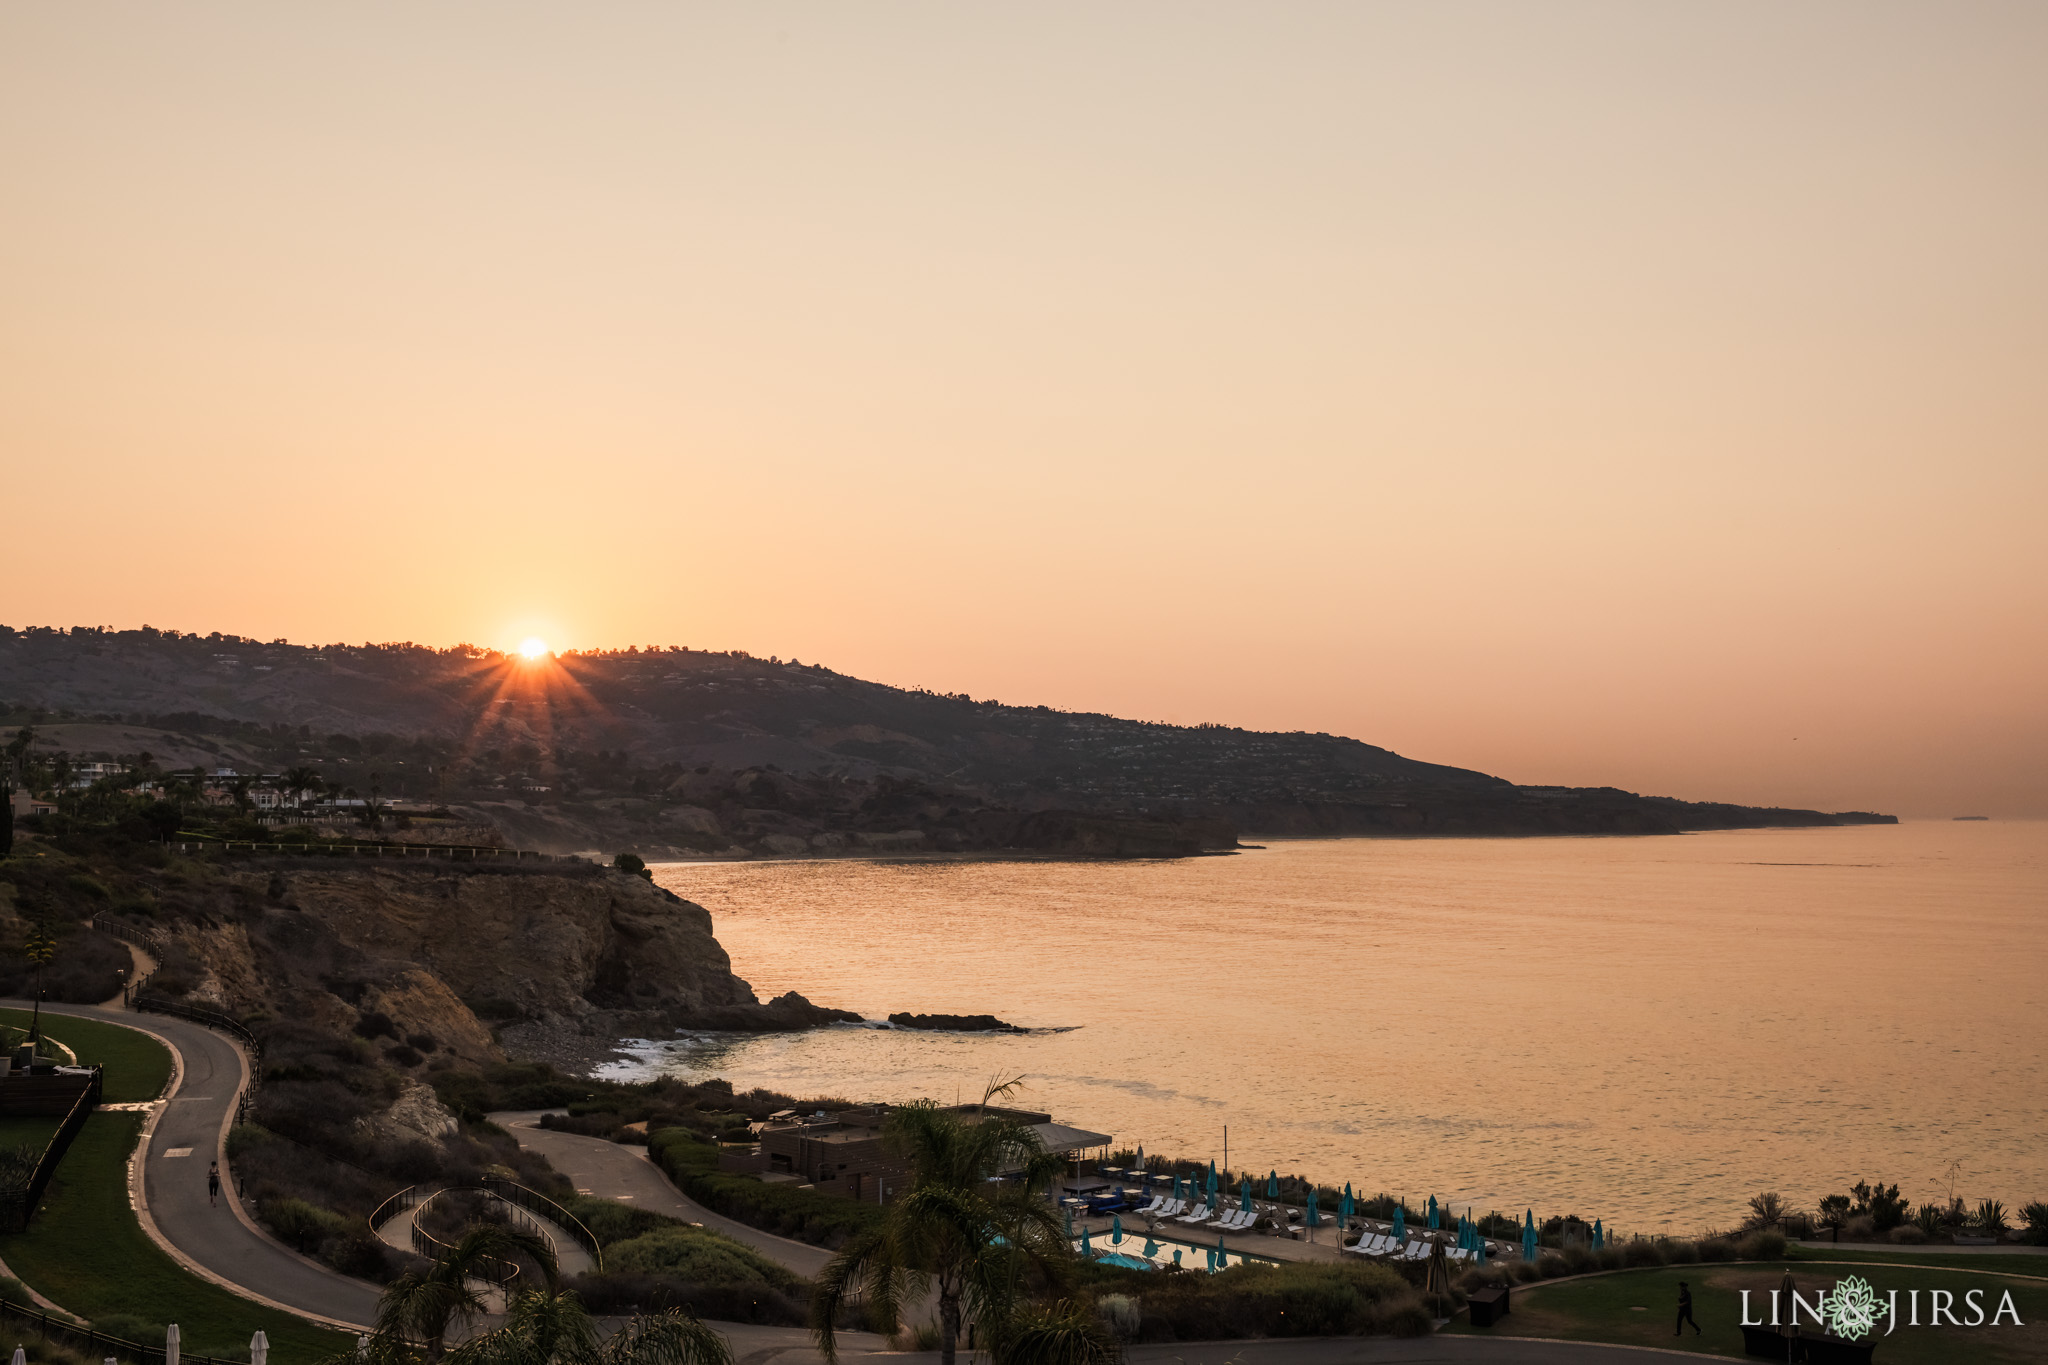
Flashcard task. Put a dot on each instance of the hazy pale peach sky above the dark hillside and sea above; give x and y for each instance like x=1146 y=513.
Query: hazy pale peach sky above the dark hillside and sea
x=1605 y=394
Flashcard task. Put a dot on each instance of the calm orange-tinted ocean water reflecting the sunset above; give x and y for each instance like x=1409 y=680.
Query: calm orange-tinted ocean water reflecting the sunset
x=1641 y=1030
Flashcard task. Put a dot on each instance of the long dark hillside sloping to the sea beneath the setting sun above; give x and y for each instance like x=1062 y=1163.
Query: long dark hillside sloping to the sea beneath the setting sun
x=673 y=750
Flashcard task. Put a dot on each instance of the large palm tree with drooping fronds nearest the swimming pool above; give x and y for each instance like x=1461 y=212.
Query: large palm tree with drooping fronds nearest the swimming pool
x=964 y=1235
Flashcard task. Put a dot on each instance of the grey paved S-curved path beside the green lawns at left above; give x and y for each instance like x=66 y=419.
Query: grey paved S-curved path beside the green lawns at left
x=224 y=1243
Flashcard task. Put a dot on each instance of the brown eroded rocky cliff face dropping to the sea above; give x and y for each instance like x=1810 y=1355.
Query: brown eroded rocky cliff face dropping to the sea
x=452 y=953
